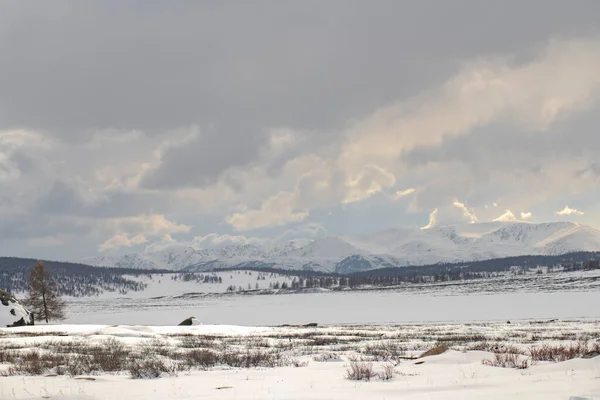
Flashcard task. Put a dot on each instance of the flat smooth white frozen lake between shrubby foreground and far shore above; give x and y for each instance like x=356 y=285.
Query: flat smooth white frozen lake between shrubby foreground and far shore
x=377 y=307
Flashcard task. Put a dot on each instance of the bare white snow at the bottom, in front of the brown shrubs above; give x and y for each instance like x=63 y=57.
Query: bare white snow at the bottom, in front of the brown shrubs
x=449 y=376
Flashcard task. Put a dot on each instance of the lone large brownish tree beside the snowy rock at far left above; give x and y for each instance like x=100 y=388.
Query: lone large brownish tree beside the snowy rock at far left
x=43 y=298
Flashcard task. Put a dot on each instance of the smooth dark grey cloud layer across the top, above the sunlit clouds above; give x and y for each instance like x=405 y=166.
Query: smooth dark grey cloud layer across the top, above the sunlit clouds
x=70 y=66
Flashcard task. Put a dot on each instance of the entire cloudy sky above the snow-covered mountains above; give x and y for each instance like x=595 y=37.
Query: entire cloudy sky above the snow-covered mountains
x=128 y=124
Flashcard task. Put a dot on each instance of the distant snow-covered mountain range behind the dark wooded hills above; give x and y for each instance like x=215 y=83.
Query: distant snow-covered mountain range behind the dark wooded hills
x=389 y=248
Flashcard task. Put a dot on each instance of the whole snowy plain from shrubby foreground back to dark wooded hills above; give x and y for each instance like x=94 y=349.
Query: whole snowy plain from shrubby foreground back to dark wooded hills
x=377 y=327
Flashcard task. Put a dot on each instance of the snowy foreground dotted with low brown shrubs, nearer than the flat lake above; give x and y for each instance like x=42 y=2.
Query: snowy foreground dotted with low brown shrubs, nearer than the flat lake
x=305 y=362
